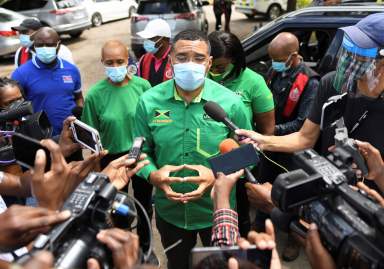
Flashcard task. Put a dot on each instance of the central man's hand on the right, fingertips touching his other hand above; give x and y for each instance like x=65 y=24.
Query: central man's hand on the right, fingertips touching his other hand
x=205 y=180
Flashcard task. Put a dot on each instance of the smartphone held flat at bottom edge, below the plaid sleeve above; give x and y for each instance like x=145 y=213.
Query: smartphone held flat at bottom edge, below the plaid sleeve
x=260 y=258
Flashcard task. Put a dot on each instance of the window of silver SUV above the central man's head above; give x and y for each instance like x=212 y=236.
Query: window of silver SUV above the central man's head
x=163 y=7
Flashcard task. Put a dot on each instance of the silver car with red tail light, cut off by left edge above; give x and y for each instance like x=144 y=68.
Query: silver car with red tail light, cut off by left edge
x=9 y=39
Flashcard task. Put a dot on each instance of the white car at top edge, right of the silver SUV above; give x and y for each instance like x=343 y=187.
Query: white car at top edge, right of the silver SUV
x=270 y=8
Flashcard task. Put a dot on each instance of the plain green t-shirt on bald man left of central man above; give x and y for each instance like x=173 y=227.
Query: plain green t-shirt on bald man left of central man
x=111 y=110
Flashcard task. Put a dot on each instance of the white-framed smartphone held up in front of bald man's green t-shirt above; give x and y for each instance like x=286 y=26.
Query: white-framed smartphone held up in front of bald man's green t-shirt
x=86 y=136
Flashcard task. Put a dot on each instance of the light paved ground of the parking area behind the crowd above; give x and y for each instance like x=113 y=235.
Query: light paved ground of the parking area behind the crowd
x=86 y=53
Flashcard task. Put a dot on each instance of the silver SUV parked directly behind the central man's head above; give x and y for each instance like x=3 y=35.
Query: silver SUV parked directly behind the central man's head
x=180 y=15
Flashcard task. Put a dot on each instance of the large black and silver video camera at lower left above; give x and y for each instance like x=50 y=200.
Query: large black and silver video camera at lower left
x=94 y=205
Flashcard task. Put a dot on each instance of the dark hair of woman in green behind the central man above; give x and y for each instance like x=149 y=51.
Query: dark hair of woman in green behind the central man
x=228 y=45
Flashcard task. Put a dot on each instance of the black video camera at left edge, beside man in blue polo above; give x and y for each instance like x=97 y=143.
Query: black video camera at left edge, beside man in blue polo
x=19 y=117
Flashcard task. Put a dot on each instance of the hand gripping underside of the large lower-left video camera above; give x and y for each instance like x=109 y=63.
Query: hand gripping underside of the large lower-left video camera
x=124 y=246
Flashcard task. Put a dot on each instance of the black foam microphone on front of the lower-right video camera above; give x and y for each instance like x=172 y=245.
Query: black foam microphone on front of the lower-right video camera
x=287 y=222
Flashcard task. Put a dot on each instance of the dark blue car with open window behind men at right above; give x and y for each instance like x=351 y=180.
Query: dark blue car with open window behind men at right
x=317 y=31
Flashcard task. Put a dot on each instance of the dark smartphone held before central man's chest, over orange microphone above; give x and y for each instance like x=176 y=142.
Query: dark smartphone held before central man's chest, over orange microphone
x=234 y=160
